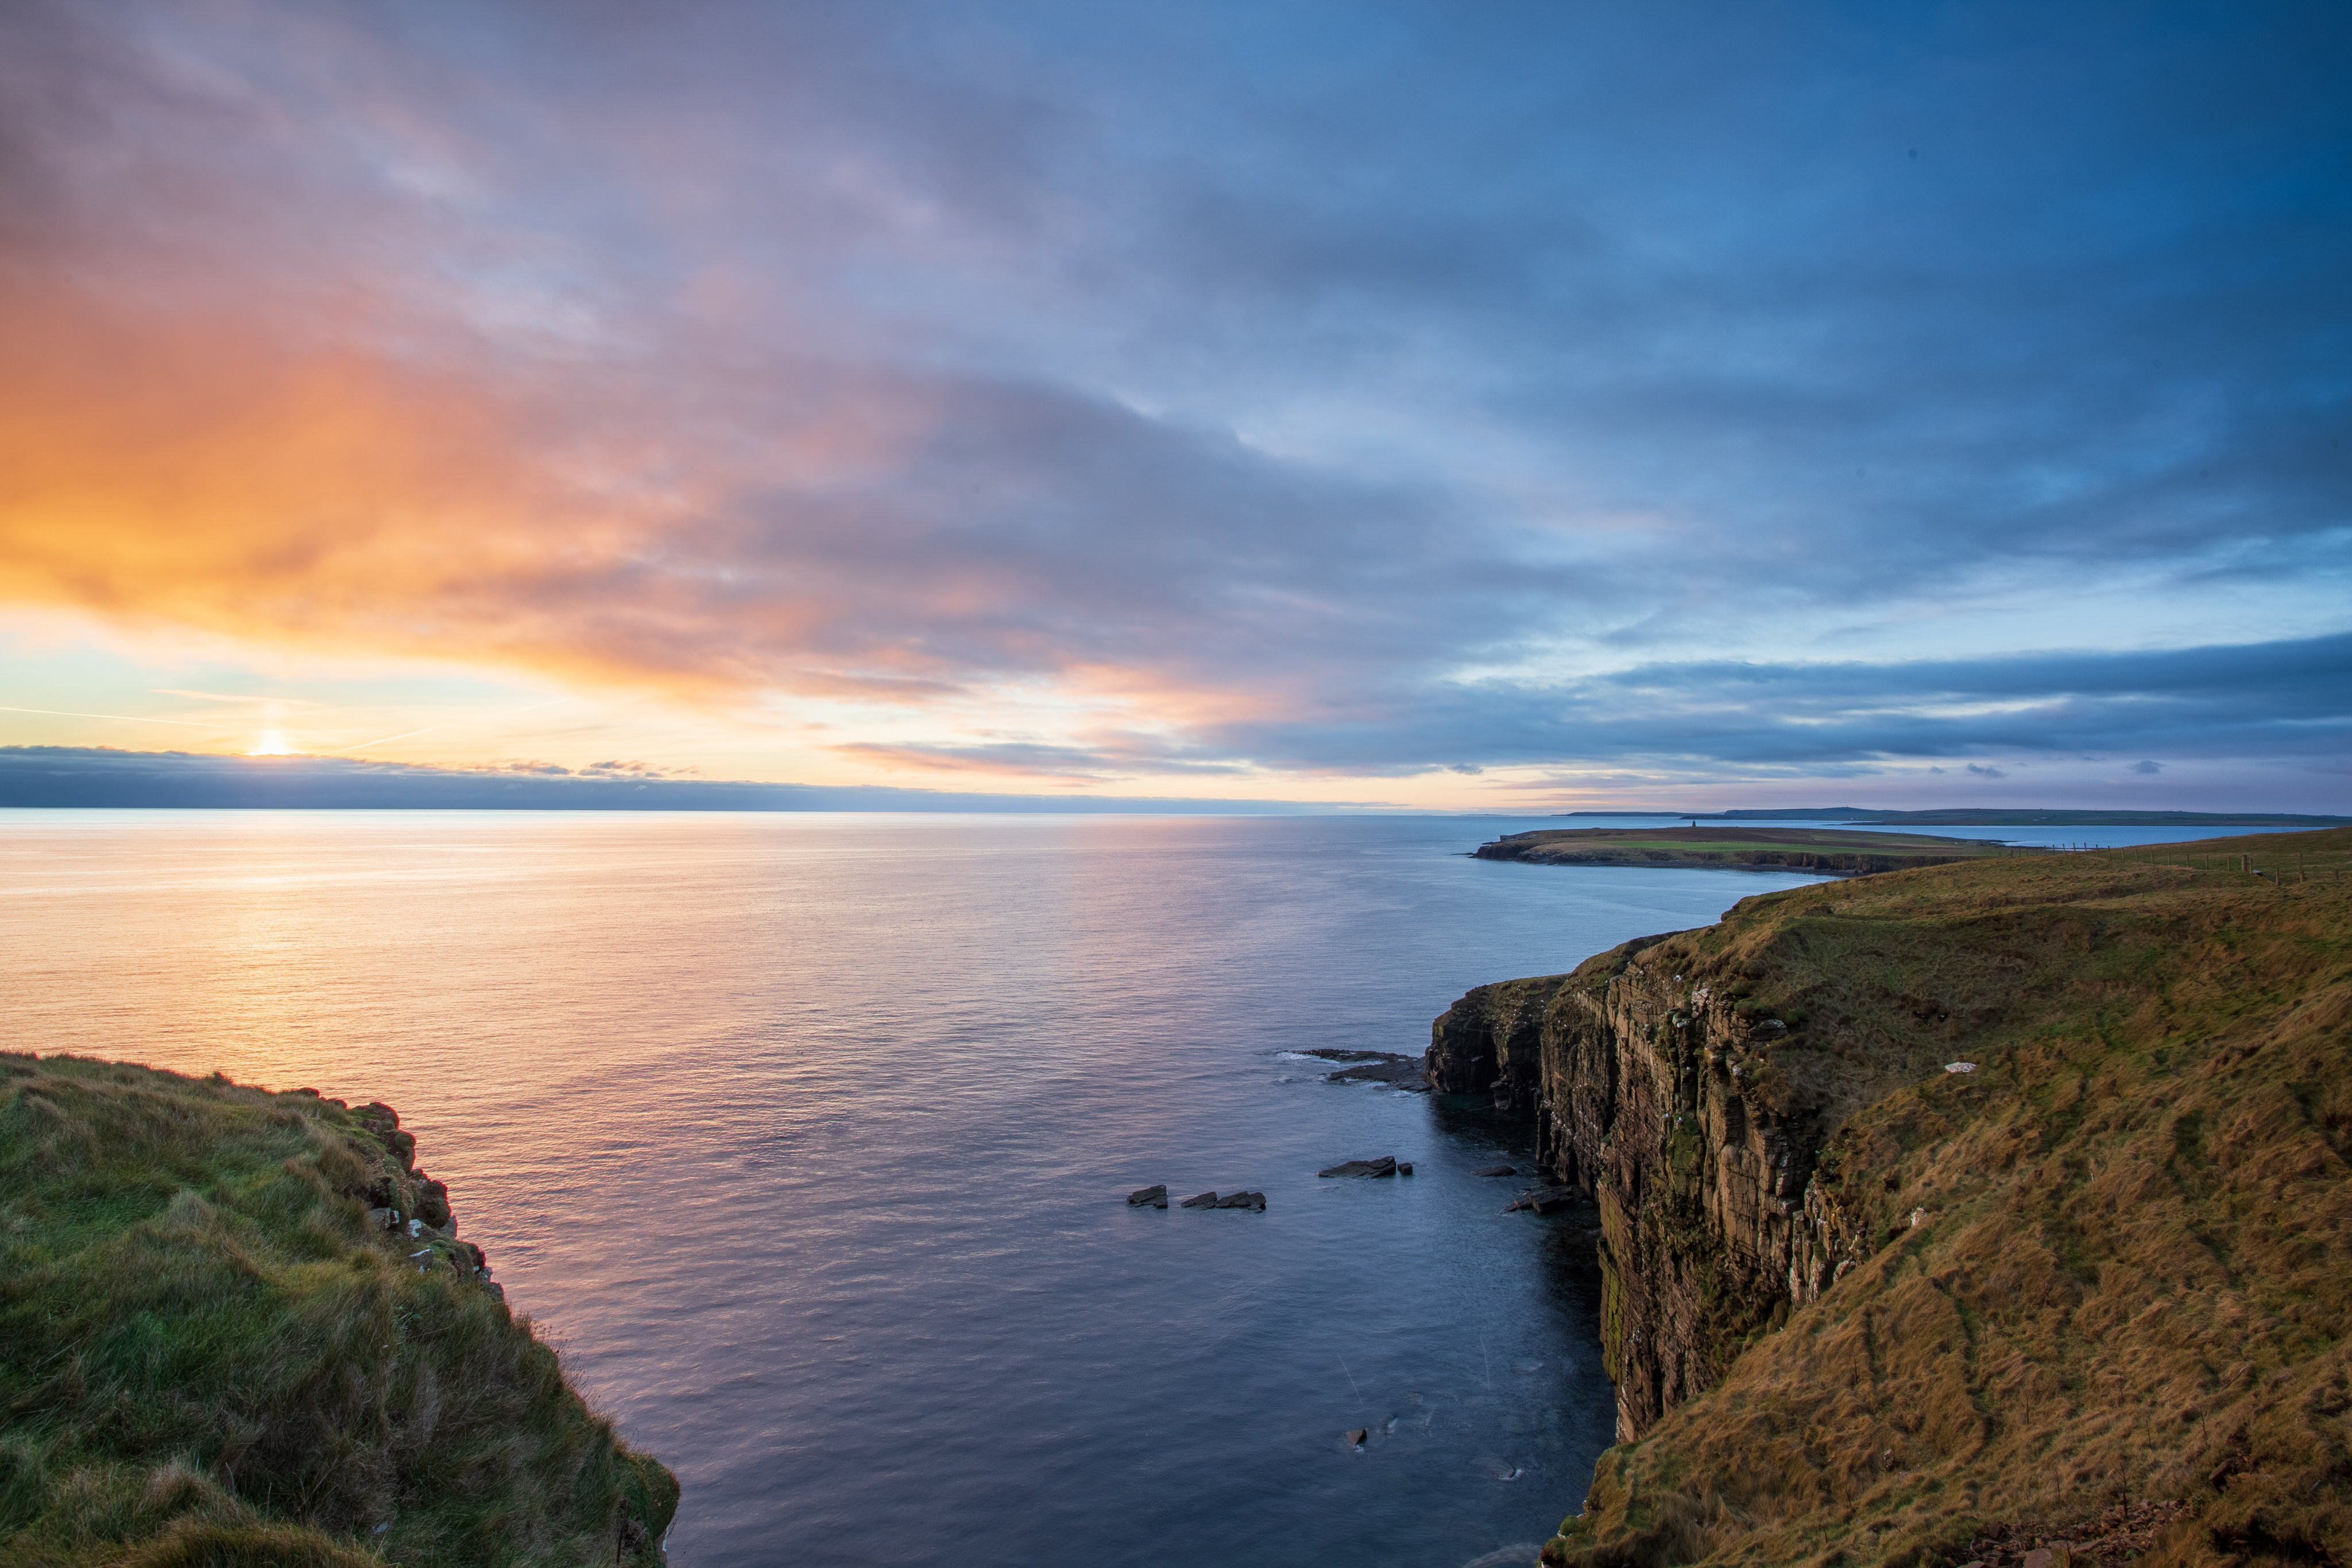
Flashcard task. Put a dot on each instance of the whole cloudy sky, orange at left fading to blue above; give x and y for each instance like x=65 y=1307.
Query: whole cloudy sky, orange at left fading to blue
x=1466 y=408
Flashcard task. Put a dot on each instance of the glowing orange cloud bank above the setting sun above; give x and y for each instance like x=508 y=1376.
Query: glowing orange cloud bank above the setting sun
x=222 y=476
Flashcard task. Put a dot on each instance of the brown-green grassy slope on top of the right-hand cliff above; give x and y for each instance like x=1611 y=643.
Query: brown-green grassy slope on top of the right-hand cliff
x=2109 y=1268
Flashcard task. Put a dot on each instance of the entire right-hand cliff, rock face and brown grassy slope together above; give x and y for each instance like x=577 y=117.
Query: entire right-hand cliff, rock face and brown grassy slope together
x=1963 y=1207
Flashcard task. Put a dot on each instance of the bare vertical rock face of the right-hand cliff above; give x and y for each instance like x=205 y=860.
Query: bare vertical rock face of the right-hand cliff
x=1673 y=1106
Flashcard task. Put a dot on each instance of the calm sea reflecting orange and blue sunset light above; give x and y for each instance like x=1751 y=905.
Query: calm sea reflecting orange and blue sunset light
x=806 y=1139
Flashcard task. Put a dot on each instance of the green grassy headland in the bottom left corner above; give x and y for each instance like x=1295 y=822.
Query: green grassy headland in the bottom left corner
x=215 y=1353
